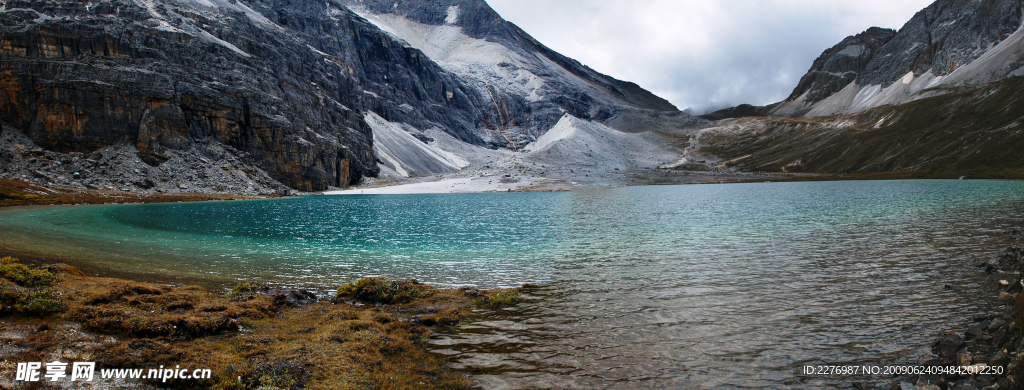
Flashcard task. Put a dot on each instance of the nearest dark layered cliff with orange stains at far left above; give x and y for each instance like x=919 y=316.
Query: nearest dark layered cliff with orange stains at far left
x=81 y=76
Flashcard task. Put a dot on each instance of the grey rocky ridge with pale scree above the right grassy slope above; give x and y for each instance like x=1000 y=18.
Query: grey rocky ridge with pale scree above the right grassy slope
x=940 y=49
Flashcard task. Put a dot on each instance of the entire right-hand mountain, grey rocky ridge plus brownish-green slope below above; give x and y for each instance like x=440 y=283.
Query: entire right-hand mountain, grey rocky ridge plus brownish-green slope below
x=944 y=98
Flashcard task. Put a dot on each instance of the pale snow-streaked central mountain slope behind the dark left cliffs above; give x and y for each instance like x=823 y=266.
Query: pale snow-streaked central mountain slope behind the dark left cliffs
x=529 y=86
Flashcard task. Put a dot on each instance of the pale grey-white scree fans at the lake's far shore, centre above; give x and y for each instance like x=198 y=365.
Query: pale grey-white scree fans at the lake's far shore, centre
x=573 y=152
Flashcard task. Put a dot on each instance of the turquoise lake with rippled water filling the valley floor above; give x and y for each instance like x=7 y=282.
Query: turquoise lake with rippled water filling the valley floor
x=732 y=286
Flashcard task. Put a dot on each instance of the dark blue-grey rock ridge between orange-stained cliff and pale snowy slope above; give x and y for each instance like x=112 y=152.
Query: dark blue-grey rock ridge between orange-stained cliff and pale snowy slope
x=396 y=82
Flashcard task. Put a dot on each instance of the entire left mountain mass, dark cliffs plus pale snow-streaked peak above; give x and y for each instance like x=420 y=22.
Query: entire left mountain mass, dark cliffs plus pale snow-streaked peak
x=288 y=85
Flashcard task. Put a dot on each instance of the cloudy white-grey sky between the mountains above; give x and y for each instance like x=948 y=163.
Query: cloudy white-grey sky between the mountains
x=703 y=54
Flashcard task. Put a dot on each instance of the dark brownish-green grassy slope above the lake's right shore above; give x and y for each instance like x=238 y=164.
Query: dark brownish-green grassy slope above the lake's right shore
x=978 y=134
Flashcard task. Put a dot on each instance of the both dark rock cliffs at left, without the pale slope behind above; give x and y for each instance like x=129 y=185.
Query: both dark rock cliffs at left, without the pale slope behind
x=289 y=91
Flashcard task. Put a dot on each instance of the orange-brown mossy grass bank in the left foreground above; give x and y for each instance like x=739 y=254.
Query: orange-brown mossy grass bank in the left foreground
x=371 y=335
